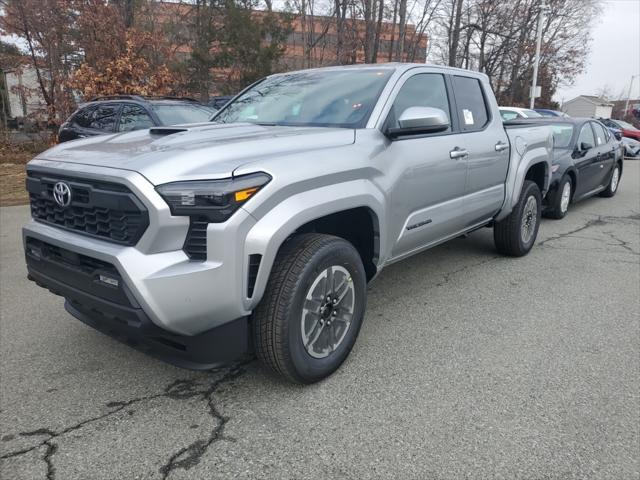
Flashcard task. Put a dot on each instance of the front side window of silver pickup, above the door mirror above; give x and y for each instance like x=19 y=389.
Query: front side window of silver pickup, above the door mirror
x=421 y=90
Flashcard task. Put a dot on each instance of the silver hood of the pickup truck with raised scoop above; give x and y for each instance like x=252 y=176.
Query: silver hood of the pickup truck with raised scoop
x=195 y=151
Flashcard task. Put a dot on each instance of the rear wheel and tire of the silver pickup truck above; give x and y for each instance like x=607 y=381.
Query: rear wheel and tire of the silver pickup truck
x=508 y=234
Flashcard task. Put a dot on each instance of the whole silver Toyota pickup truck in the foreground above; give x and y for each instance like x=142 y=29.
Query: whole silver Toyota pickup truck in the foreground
x=259 y=231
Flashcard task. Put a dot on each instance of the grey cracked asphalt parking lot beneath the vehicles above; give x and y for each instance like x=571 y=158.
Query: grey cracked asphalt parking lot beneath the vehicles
x=469 y=366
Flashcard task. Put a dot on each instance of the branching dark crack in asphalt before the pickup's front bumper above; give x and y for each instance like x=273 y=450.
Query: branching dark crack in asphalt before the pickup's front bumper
x=180 y=389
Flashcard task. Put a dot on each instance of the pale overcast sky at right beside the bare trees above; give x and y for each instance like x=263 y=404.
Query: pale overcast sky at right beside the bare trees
x=614 y=55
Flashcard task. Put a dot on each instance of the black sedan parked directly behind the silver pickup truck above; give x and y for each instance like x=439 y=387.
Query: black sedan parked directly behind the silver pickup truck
x=587 y=161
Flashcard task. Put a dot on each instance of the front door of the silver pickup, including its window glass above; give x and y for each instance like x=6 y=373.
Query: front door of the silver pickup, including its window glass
x=429 y=180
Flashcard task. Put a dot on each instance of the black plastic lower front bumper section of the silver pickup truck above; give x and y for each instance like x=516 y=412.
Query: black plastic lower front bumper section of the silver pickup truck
x=97 y=295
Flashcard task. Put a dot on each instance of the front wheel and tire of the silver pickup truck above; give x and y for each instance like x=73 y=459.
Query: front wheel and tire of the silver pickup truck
x=300 y=272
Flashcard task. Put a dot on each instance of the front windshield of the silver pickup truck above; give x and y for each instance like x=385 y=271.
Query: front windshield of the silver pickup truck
x=329 y=98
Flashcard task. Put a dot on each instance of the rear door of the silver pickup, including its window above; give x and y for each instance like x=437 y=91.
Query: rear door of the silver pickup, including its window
x=487 y=147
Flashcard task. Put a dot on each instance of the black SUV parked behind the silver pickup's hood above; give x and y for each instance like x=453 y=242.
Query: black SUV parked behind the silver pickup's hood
x=123 y=113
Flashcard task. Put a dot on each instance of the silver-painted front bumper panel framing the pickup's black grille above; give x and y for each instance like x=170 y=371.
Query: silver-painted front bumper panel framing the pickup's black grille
x=176 y=294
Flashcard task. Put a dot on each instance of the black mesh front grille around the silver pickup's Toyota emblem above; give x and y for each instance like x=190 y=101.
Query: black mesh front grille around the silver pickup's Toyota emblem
x=104 y=210
